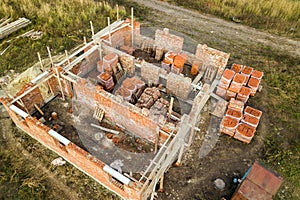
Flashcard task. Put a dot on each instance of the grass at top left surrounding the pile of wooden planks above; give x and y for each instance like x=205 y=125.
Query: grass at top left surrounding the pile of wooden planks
x=64 y=24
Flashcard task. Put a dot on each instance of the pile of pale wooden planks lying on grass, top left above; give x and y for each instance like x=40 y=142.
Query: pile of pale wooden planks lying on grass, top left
x=14 y=26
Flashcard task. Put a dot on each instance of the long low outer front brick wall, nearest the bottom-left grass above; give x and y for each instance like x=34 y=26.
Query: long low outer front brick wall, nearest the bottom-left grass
x=72 y=153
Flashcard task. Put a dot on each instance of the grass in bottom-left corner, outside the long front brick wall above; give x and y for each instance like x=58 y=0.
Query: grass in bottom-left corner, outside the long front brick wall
x=26 y=173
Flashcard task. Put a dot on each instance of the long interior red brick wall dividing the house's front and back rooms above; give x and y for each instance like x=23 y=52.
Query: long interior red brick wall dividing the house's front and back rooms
x=131 y=118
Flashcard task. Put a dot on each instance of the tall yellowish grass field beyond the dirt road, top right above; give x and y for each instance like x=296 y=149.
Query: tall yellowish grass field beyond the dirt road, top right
x=276 y=16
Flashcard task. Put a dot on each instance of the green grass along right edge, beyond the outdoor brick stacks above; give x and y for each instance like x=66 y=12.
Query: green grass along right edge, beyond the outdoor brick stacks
x=279 y=102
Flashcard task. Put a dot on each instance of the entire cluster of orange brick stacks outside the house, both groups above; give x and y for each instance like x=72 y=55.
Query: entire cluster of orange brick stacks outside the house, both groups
x=237 y=85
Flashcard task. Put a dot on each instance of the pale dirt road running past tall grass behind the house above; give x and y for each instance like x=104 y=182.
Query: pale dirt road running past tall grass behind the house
x=210 y=28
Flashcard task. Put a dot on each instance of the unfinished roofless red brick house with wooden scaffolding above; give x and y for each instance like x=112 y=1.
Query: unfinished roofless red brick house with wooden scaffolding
x=124 y=91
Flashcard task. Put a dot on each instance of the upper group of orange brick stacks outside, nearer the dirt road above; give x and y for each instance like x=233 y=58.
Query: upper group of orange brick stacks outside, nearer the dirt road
x=239 y=82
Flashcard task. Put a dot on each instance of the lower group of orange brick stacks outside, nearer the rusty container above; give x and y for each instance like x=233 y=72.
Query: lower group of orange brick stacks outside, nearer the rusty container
x=240 y=123
